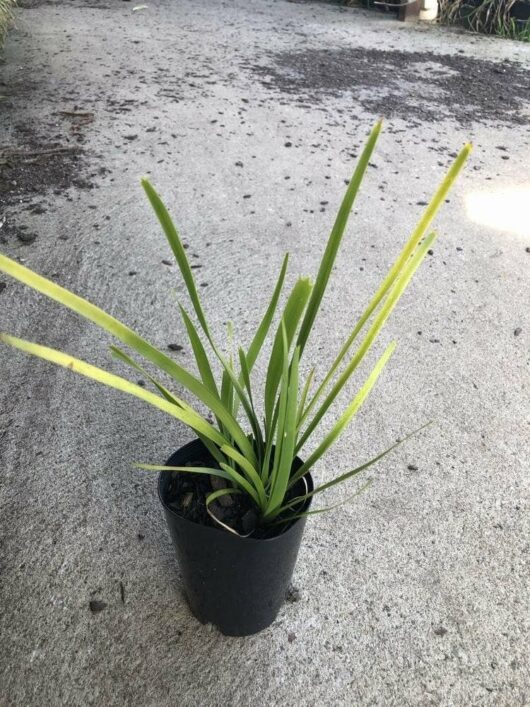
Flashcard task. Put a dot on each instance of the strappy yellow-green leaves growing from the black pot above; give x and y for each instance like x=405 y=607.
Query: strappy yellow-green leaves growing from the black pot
x=255 y=451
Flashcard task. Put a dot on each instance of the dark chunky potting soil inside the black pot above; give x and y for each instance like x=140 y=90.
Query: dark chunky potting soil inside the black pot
x=186 y=495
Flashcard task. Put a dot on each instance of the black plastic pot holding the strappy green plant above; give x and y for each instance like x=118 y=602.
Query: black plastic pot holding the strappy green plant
x=238 y=584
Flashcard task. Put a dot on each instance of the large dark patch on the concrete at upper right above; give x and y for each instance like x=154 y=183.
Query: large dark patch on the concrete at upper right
x=418 y=87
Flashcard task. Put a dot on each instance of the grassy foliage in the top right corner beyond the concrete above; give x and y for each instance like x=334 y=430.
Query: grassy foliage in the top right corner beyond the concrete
x=485 y=16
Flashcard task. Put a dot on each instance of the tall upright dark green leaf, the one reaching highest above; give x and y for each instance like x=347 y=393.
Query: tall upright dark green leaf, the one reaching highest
x=335 y=238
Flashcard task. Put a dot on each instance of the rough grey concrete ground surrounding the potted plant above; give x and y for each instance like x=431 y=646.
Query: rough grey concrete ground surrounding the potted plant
x=417 y=594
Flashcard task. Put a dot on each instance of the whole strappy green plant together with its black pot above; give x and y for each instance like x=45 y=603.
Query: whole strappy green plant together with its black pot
x=237 y=497
